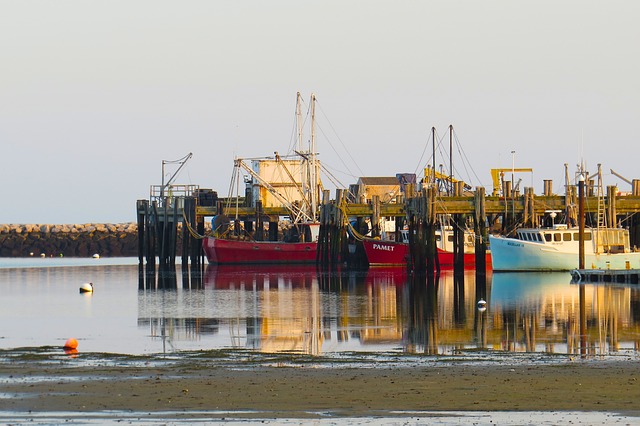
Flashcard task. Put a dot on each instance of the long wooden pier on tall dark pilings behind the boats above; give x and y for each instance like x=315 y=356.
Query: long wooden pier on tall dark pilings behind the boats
x=159 y=219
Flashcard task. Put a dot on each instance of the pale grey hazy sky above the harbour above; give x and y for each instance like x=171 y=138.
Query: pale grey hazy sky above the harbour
x=94 y=95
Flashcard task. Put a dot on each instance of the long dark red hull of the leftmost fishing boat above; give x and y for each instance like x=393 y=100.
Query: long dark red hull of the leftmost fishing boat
x=221 y=251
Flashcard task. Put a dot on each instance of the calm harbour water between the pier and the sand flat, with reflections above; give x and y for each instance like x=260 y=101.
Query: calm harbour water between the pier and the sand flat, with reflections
x=299 y=310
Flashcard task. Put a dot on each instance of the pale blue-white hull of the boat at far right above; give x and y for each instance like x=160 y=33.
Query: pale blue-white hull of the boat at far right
x=509 y=254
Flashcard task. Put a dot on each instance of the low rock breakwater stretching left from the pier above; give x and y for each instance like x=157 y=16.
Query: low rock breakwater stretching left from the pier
x=79 y=240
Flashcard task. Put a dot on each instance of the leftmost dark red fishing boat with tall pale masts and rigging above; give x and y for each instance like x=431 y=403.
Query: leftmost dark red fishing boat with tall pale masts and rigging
x=279 y=181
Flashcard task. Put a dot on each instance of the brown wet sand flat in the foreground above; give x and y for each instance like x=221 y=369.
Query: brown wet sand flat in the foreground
x=302 y=390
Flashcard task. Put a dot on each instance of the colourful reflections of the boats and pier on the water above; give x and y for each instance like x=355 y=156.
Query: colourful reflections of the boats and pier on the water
x=302 y=310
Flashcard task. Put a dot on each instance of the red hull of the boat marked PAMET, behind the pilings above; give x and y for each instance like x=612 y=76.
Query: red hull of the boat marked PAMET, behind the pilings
x=388 y=253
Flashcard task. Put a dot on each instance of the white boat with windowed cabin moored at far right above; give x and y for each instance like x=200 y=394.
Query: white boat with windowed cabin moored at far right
x=557 y=249
